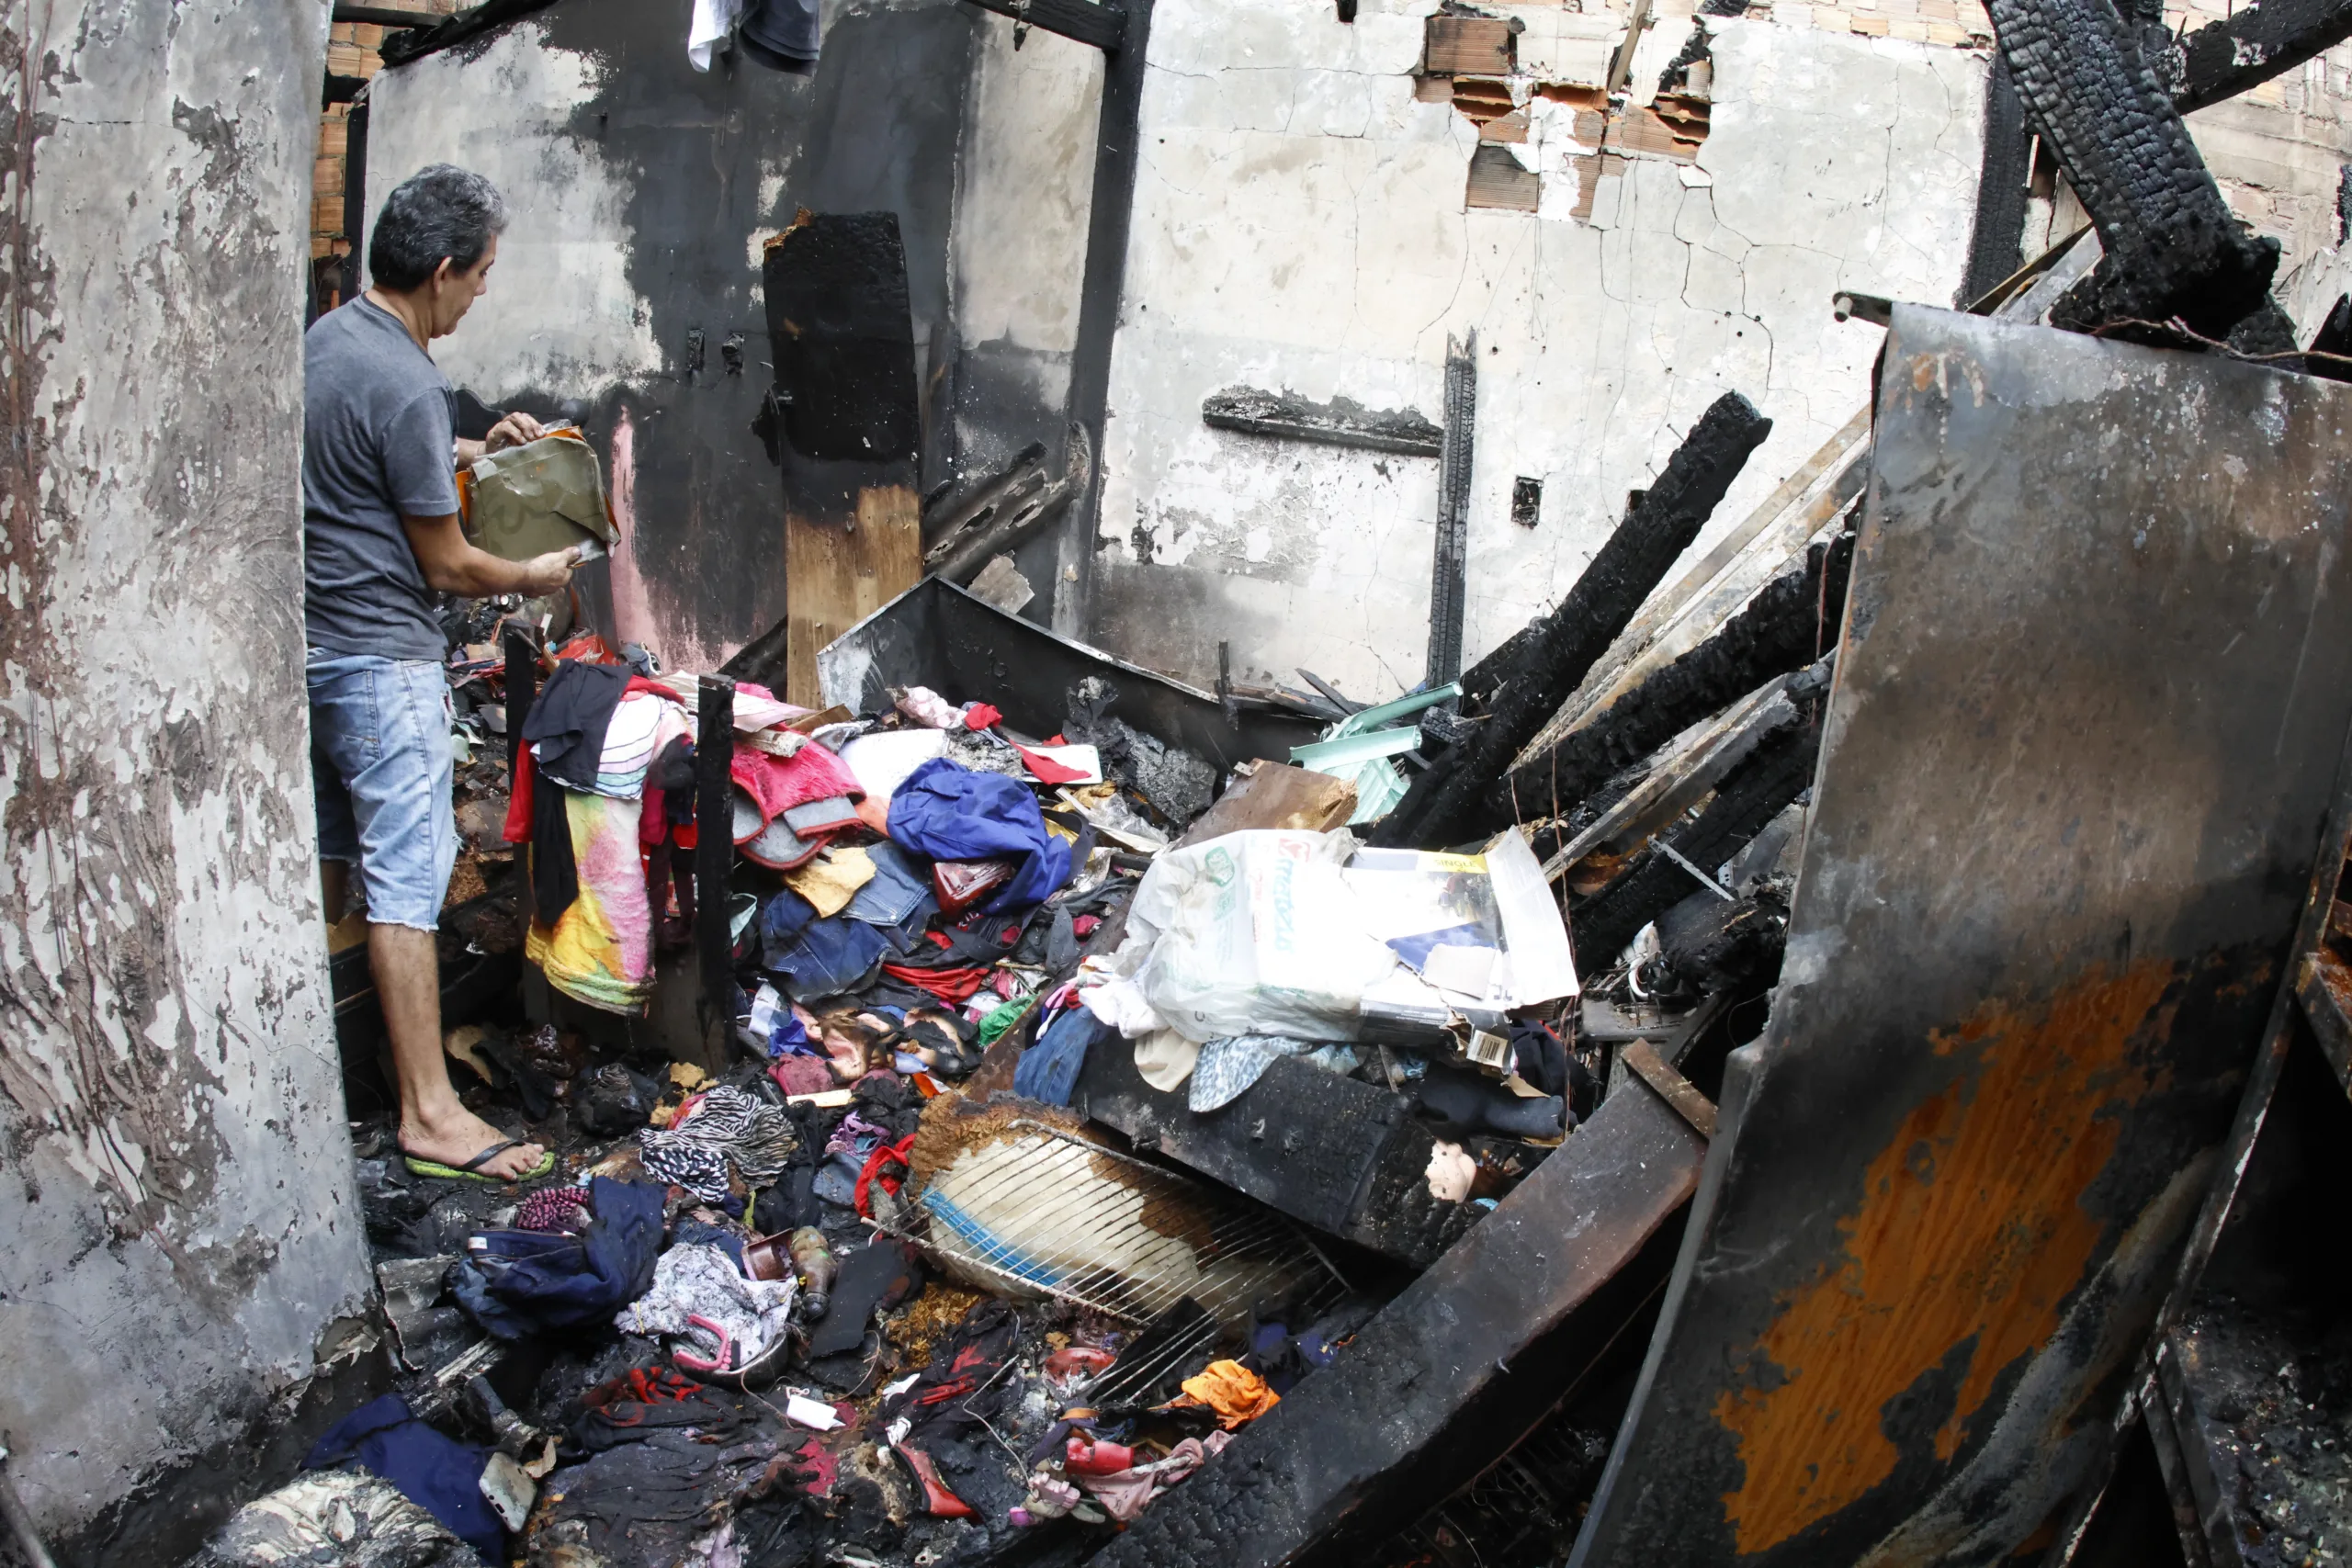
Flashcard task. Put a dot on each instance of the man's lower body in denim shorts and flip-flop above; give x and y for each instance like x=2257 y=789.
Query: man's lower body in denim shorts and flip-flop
x=392 y=746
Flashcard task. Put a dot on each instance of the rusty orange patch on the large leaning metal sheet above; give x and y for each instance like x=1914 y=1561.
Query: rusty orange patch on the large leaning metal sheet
x=1967 y=1240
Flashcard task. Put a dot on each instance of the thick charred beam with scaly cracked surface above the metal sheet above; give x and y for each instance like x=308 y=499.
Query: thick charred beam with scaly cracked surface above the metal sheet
x=2172 y=246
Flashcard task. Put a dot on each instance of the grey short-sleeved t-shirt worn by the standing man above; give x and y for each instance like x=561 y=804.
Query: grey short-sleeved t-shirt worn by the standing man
x=377 y=448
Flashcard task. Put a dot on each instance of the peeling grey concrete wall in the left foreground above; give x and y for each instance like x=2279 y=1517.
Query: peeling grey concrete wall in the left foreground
x=178 y=1219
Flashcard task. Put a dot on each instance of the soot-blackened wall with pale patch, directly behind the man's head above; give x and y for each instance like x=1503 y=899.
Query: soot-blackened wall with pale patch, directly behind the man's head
x=641 y=196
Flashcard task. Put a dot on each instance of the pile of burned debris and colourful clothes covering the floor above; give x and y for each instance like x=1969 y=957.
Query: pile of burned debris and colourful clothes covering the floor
x=1043 y=1071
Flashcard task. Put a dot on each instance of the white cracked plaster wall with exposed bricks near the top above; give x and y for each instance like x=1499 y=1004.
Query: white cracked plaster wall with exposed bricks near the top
x=1299 y=227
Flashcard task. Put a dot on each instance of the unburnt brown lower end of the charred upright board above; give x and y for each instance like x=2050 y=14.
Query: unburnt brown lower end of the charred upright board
x=834 y=577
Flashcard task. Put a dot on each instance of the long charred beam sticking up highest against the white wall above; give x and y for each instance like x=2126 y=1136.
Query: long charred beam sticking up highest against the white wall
x=1450 y=800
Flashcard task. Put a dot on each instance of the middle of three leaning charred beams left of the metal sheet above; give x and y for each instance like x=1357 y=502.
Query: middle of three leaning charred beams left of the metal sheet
x=1782 y=631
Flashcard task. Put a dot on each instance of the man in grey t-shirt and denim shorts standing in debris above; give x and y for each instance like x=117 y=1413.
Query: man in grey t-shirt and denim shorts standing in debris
x=380 y=535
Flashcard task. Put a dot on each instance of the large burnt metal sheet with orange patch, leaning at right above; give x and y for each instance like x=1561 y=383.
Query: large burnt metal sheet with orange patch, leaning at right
x=2090 y=706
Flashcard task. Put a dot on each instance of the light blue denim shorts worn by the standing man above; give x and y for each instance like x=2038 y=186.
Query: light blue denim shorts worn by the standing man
x=382 y=772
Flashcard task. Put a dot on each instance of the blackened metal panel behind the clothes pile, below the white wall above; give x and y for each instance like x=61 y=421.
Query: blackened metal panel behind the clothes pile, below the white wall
x=940 y=636
